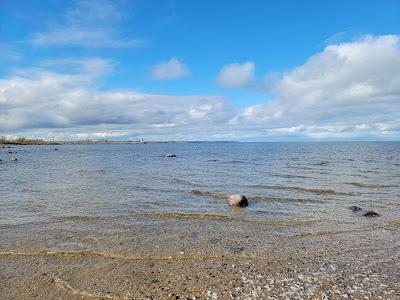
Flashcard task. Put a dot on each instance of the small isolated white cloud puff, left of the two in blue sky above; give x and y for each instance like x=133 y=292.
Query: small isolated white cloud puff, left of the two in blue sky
x=169 y=70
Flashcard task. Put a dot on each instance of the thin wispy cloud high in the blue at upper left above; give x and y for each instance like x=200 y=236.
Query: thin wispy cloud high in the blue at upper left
x=89 y=24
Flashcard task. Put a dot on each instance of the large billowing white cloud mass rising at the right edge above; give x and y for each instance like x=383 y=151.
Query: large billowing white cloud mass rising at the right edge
x=346 y=86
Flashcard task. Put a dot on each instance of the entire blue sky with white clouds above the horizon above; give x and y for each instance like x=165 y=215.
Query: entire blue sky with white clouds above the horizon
x=200 y=70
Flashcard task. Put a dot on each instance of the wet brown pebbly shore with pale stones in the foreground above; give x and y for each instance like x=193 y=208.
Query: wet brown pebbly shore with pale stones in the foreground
x=311 y=265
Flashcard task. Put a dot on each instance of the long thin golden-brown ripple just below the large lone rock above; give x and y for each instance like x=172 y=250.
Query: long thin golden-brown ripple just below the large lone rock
x=234 y=219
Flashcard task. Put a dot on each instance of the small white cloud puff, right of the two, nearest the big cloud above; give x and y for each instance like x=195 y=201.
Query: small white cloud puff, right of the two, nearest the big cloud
x=236 y=75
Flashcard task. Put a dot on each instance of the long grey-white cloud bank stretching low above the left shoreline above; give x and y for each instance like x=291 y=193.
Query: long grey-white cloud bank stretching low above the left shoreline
x=42 y=99
